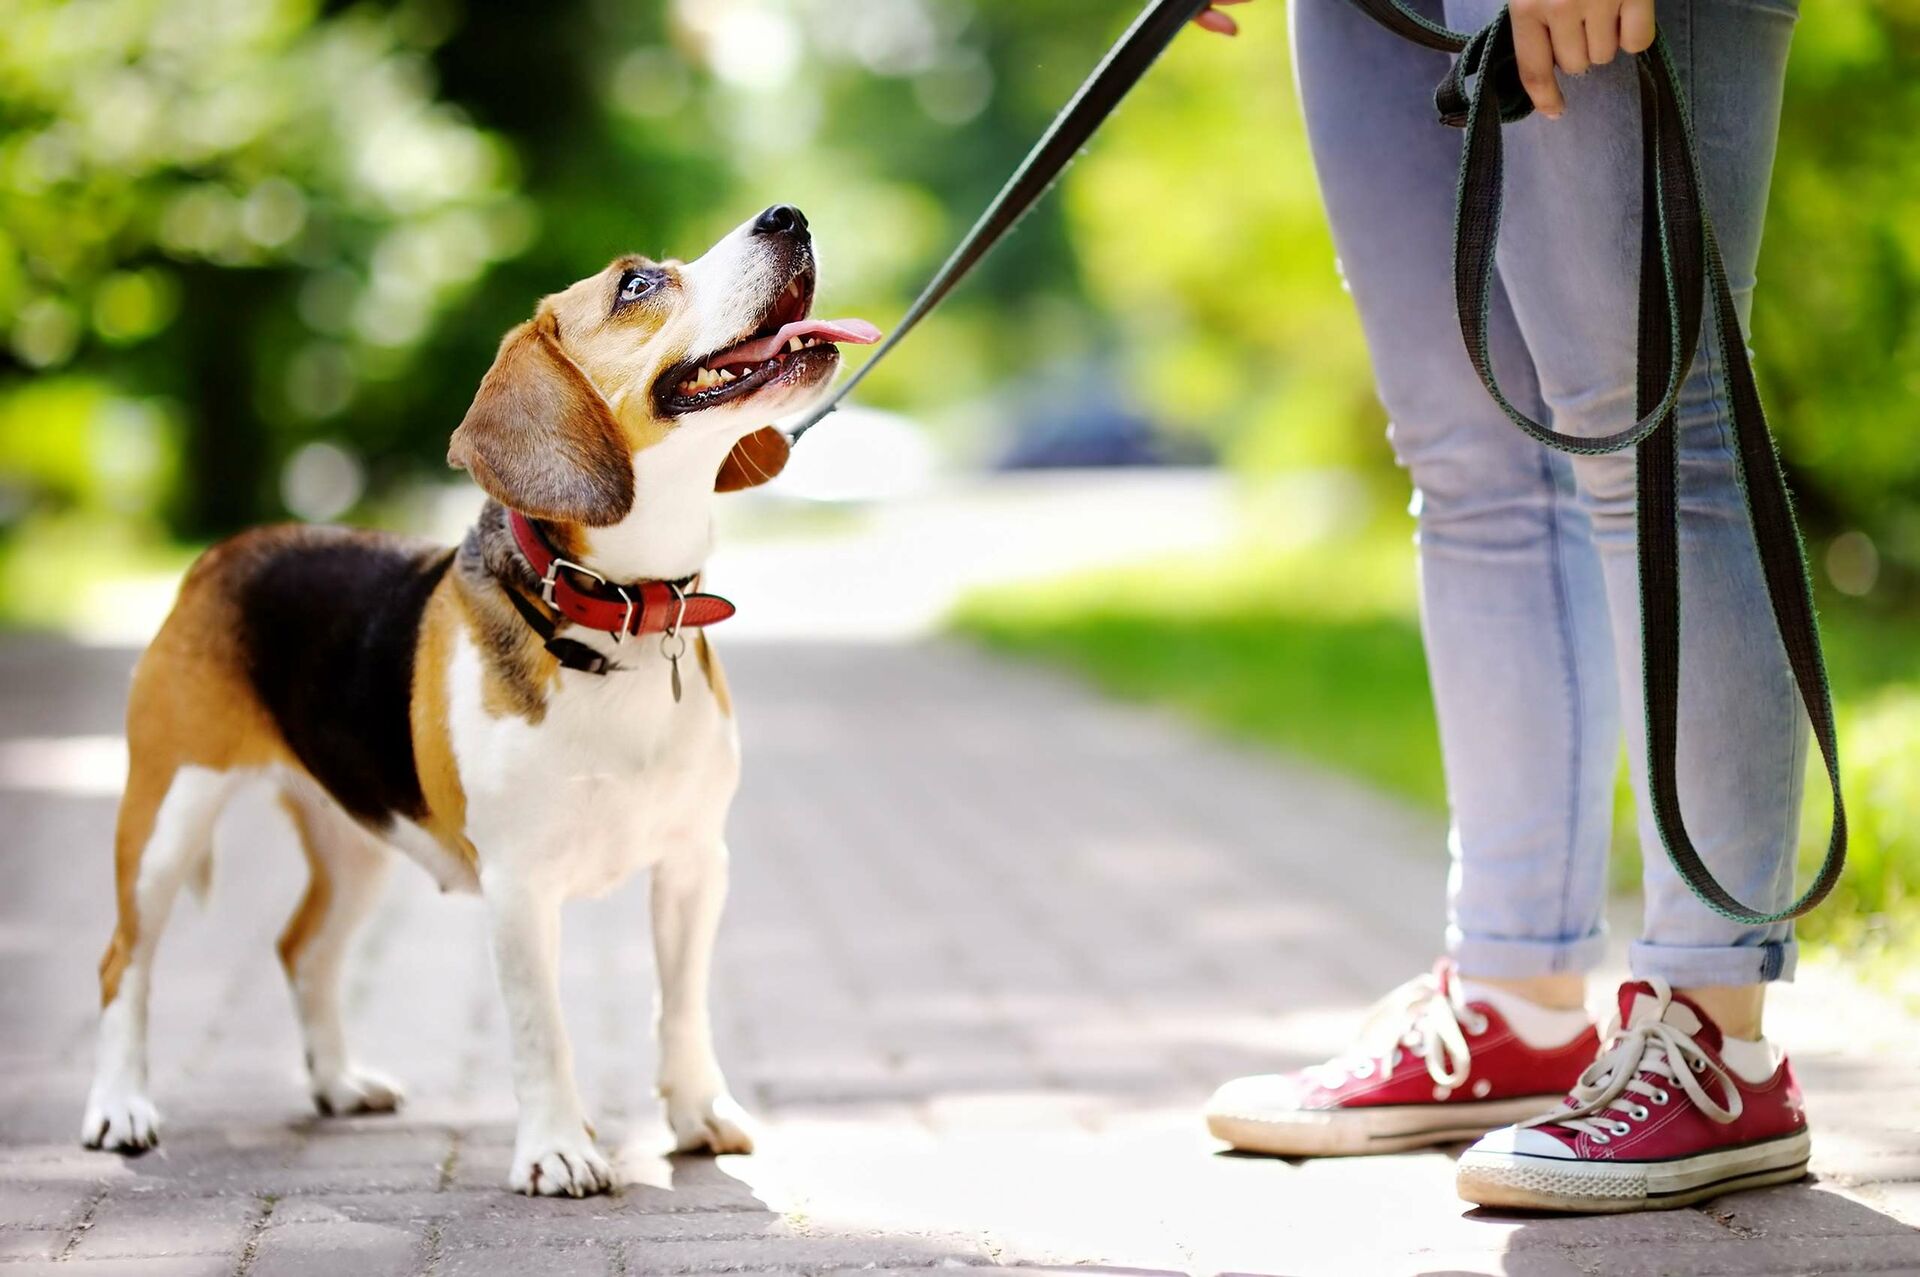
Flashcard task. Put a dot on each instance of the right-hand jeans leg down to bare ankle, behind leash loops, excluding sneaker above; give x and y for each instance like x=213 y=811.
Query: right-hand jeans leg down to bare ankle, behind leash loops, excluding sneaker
x=1570 y=258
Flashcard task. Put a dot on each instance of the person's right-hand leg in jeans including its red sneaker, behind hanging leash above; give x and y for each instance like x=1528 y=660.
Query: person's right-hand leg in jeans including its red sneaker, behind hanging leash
x=1691 y=1103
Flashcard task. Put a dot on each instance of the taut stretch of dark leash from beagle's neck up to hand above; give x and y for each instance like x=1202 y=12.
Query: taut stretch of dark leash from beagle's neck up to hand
x=1070 y=130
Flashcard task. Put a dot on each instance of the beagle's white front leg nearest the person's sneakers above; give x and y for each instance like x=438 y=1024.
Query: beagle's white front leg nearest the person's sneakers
x=688 y=894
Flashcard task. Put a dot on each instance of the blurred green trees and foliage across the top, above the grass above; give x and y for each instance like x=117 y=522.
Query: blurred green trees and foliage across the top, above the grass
x=266 y=224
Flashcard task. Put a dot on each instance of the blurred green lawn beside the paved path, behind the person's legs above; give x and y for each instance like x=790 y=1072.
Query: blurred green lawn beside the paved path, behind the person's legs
x=1316 y=652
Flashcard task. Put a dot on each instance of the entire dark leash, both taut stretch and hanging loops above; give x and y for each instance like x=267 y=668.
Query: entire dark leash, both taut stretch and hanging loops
x=1679 y=268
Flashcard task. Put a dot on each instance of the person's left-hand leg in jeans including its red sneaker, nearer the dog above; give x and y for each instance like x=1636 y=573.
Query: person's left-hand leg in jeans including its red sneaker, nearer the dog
x=1516 y=623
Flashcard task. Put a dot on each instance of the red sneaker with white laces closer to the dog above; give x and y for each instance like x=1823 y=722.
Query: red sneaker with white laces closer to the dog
x=1429 y=1071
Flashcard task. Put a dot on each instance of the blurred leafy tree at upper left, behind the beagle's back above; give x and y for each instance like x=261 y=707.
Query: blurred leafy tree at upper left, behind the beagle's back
x=243 y=206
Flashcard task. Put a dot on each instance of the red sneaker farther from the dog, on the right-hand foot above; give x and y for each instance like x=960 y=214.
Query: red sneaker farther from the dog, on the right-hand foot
x=1658 y=1122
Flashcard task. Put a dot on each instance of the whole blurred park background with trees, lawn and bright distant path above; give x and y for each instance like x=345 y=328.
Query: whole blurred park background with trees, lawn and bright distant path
x=254 y=256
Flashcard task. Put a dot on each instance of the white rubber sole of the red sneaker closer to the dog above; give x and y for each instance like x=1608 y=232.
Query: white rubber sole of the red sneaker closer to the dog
x=1389 y=1128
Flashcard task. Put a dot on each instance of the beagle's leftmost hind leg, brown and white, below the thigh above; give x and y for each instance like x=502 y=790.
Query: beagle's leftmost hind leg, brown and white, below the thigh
x=164 y=834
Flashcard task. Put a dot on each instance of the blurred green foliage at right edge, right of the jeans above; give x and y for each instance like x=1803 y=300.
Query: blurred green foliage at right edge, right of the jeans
x=1836 y=314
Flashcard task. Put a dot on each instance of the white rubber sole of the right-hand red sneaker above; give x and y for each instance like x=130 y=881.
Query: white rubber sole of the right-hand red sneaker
x=1525 y=1182
